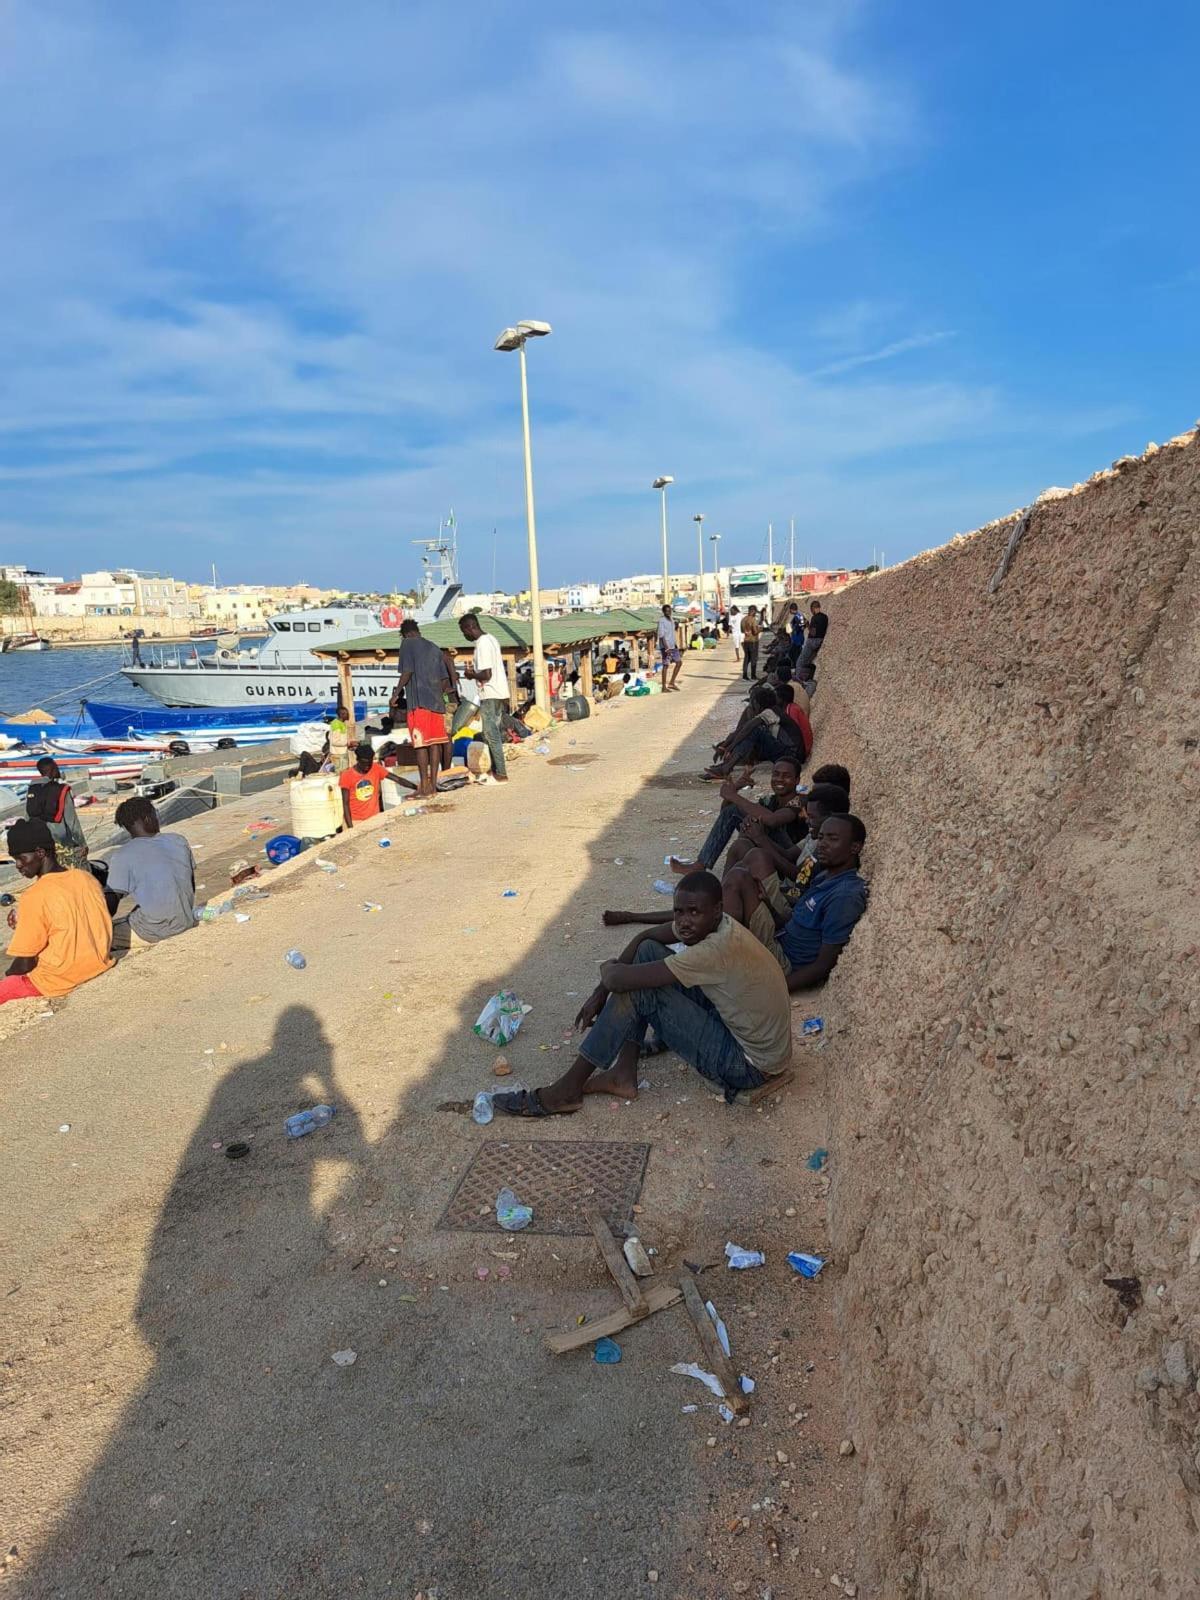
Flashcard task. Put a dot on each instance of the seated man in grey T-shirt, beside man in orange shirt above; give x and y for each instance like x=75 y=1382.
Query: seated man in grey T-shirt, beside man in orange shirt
x=159 y=876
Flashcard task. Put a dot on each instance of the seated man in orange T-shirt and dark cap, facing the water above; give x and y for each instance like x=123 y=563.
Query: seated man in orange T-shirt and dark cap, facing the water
x=62 y=929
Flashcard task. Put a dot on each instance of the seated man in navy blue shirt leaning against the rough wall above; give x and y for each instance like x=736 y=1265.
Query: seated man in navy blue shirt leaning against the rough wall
x=809 y=942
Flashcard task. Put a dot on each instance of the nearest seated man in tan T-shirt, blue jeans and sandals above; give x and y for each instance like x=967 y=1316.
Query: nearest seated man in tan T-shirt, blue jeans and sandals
x=705 y=985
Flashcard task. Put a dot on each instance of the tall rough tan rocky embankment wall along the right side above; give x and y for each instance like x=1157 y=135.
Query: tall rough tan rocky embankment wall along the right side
x=1015 y=1089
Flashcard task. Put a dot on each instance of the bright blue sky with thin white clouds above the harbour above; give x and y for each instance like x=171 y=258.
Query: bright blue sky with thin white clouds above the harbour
x=887 y=270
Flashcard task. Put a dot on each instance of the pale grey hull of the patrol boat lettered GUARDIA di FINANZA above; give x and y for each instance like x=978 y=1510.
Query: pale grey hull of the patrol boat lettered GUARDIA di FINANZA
x=236 y=684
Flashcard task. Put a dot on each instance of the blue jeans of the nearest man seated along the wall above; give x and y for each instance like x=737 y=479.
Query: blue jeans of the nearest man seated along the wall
x=686 y=1020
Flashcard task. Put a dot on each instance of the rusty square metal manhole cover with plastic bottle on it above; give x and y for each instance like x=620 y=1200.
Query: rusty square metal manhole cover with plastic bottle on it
x=556 y=1177
